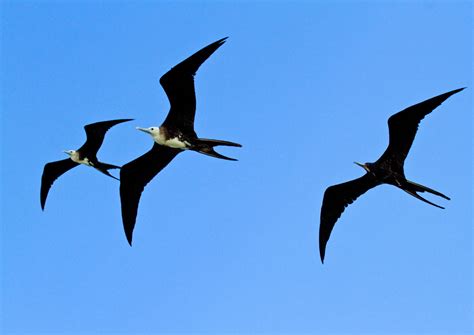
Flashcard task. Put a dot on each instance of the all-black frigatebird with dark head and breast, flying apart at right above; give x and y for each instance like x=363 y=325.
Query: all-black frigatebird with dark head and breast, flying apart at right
x=388 y=169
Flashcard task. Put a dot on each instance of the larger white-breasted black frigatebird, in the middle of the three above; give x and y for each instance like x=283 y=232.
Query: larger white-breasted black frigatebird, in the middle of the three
x=175 y=135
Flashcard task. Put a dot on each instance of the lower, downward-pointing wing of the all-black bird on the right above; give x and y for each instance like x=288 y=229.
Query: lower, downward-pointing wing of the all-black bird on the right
x=336 y=199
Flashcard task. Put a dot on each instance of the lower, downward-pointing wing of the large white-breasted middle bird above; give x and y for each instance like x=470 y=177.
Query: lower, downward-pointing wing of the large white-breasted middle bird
x=134 y=176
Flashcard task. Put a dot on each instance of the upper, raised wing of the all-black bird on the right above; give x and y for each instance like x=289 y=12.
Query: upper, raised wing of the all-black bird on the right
x=403 y=126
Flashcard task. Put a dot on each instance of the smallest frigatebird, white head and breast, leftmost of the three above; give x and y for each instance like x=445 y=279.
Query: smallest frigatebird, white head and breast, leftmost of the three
x=84 y=155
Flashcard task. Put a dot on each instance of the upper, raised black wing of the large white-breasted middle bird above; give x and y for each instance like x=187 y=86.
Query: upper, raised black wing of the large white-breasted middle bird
x=178 y=84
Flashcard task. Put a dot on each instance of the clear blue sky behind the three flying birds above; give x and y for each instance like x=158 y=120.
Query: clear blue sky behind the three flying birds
x=231 y=247
